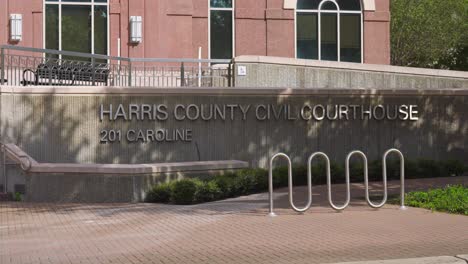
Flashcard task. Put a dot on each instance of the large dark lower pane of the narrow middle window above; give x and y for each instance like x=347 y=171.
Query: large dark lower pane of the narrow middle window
x=221 y=34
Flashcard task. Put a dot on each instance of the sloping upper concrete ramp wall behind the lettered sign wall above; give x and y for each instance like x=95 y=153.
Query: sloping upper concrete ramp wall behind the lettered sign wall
x=296 y=73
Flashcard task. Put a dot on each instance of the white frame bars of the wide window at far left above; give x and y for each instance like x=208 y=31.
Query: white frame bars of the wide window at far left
x=59 y=4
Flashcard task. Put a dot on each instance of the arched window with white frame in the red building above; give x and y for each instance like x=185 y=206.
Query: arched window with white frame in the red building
x=329 y=30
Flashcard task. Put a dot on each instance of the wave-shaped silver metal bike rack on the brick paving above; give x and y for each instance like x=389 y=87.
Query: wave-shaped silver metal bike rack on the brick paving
x=347 y=179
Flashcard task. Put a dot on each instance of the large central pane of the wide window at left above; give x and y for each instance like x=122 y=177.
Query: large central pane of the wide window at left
x=76 y=28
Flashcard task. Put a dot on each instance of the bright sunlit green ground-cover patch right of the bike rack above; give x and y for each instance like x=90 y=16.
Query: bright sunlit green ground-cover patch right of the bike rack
x=451 y=199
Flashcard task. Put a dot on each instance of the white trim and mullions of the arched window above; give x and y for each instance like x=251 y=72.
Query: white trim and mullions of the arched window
x=319 y=30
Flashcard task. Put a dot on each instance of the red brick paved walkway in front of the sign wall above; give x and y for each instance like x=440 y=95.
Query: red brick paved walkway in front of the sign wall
x=231 y=231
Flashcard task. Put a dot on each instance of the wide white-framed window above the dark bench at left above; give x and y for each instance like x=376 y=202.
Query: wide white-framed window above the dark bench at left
x=77 y=25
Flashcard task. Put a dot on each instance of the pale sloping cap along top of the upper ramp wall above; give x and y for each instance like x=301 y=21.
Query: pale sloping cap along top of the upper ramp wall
x=351 y=66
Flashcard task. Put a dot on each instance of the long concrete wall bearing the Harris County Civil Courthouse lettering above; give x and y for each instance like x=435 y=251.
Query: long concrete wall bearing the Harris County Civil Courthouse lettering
x=62 y=125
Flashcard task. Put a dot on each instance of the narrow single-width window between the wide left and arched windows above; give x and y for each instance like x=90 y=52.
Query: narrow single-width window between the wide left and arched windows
x=221 y=32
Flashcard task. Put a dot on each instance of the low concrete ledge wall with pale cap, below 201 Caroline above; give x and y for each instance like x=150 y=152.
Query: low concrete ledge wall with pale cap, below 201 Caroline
x=103 y=183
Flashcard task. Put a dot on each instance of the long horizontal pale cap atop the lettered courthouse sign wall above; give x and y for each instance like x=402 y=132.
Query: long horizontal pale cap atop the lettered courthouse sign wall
x=222 y=91
